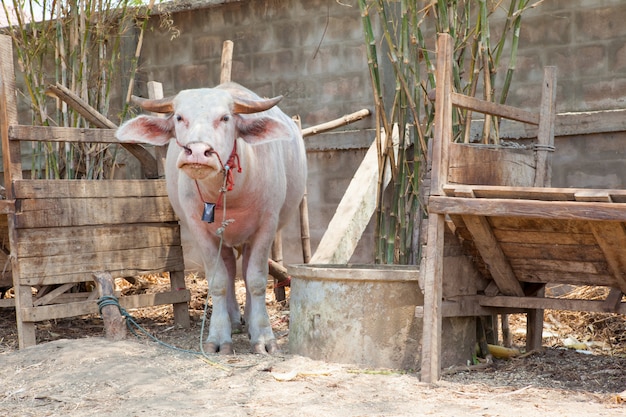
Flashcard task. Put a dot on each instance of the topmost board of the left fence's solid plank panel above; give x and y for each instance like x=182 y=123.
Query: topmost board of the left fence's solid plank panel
x=25 y=189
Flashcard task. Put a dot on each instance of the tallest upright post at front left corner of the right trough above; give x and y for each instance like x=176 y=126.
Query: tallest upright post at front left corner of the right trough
x=433 y=265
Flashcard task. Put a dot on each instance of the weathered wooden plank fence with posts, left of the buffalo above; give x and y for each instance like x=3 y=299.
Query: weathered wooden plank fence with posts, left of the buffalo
x=61 y=232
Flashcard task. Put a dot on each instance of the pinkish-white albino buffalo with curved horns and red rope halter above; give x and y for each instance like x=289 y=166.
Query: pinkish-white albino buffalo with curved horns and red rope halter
x=229 y=135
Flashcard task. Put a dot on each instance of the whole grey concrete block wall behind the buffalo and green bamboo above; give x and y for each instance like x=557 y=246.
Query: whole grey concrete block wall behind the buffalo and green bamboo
x=311 y=51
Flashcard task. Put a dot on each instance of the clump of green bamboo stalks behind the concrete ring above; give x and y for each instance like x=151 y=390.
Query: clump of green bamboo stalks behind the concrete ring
x=408 y=55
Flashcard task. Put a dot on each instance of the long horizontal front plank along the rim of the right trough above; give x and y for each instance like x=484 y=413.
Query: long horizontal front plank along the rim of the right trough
x=566 y=210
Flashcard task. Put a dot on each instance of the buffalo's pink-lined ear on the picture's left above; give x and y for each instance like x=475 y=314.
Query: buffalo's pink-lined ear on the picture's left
x=146 y=129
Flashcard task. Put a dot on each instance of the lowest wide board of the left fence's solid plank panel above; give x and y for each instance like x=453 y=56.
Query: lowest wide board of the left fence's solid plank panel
x=68 y=268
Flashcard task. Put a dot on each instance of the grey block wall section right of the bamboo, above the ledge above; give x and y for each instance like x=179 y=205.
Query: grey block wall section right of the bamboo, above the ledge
x=586 y=40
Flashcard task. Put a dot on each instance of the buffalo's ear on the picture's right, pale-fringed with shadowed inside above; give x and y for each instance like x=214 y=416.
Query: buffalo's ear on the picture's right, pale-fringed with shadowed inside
x=260 y=130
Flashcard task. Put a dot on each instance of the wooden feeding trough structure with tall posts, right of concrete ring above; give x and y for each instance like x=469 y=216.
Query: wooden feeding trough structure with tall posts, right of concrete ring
x=521 y=233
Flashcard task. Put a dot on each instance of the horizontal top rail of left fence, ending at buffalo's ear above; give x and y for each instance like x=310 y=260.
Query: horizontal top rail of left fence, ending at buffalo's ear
x=62 y=134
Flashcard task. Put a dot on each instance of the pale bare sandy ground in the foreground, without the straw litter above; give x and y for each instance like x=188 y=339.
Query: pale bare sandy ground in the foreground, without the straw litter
x=91 y=376
